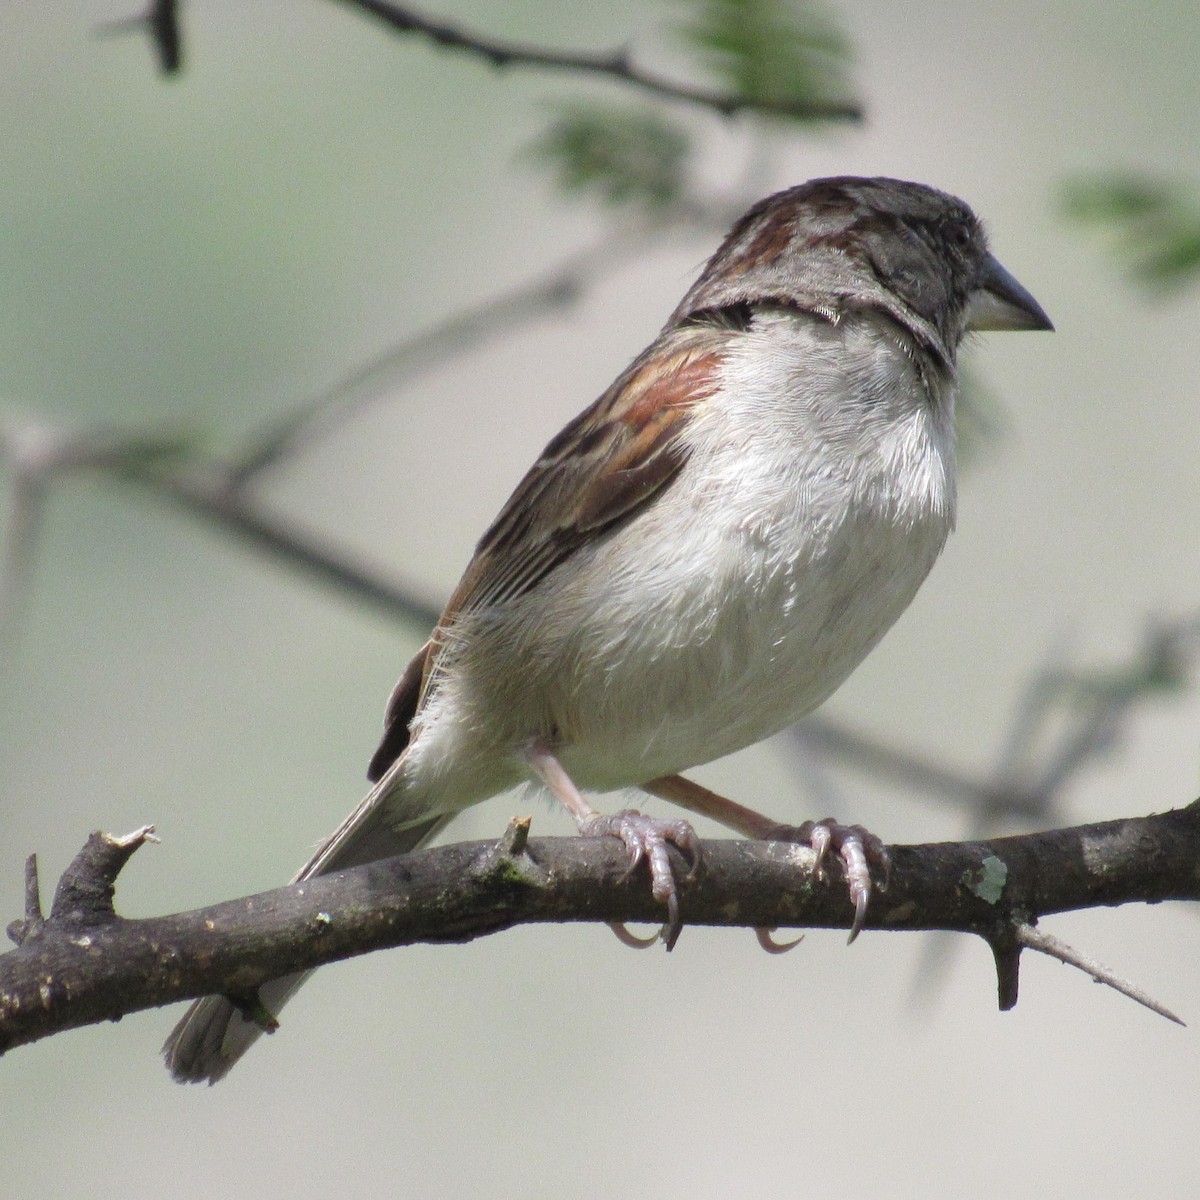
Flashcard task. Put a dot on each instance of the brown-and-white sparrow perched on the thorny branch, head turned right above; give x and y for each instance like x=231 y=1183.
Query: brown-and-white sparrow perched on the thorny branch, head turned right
x=701 y=557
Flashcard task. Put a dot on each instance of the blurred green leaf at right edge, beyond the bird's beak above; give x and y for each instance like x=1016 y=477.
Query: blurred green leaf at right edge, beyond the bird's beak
x=1155 y=225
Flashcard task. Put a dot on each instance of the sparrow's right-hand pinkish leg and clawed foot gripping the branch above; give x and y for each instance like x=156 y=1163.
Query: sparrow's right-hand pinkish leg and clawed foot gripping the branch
x=857 y=848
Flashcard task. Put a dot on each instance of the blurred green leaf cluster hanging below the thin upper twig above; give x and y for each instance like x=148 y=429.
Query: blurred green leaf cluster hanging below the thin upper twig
x=623 y=157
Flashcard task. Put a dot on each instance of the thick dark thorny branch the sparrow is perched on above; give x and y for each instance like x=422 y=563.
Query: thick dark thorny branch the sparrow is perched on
x=85 y=964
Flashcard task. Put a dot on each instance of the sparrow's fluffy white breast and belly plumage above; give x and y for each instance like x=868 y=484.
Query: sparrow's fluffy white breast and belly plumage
x=818 y=494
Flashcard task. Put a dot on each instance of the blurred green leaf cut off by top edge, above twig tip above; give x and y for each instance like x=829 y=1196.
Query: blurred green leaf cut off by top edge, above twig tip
x=772 y=51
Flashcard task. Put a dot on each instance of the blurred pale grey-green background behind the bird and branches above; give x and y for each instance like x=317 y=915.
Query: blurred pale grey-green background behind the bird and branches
x=194 y=259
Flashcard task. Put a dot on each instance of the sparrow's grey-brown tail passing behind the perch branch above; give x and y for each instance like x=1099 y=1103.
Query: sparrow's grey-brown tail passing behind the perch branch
x=214 y=1034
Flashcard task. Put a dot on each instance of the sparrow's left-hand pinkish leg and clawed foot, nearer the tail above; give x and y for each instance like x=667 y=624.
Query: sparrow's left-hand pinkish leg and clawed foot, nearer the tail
x=645 y=838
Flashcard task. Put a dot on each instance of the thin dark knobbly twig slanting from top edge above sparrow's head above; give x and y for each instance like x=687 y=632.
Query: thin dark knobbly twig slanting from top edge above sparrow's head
x=616 y=65
